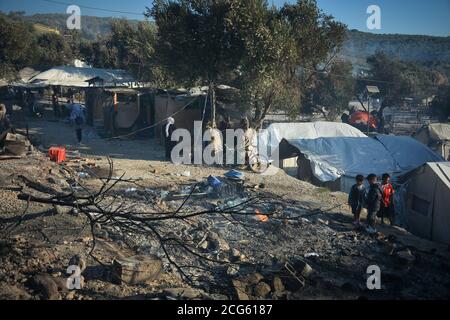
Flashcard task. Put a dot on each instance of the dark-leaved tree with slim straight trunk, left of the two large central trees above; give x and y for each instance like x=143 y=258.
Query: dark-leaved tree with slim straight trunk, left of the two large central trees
x=197 y=41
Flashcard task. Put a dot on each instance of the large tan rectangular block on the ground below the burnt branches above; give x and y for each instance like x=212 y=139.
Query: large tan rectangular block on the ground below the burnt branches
x=137 y=269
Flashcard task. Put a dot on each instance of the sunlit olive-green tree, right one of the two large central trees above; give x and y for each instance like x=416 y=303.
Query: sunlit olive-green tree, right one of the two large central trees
x=284 y=48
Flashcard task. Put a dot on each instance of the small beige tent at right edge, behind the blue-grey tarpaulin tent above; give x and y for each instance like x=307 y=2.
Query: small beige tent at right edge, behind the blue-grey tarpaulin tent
x=437 y=137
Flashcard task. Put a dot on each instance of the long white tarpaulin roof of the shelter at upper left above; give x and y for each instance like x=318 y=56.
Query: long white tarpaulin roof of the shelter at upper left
x=78 y=77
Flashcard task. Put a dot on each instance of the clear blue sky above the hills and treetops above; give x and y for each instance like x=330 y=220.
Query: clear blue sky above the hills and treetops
x=425 y=17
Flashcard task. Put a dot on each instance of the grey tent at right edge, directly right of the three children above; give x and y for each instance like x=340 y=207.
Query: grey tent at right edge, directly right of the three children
x=424 y=201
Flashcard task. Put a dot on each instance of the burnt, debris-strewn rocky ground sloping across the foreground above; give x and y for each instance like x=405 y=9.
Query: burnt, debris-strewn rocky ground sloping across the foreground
x=302 y=245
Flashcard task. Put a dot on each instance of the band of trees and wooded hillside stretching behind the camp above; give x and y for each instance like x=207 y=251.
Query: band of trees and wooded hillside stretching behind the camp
x=294 y=58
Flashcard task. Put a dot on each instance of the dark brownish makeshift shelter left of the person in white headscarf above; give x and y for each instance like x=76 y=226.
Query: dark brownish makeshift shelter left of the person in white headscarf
x=115 y=111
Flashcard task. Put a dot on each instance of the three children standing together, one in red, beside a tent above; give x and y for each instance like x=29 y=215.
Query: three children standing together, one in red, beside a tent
x=377 y=199
